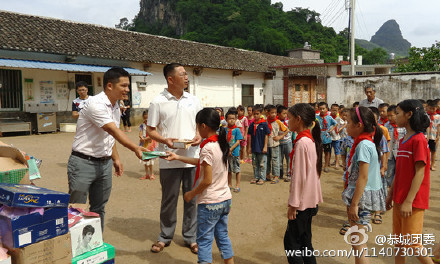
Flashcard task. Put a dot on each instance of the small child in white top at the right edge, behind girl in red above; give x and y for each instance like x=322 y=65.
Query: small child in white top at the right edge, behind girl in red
x=433 y=131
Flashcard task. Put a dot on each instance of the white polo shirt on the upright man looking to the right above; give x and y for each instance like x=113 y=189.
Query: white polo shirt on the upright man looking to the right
x=175 y=118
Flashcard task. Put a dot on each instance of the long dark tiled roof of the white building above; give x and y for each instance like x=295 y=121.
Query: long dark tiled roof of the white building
x=40 y=34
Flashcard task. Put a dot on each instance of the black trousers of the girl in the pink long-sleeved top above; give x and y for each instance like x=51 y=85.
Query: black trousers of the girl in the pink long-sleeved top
x=298 y=236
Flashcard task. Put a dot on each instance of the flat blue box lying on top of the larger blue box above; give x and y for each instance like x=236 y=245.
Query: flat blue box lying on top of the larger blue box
x=19 y=195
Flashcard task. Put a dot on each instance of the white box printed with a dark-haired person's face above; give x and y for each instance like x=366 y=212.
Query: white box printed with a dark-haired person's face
x=86 y=235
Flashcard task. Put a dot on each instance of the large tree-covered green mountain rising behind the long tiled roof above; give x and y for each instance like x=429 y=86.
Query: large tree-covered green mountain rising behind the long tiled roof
x=247 y=24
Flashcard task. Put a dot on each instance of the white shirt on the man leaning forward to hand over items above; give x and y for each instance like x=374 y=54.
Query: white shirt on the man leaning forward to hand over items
x=90 y=138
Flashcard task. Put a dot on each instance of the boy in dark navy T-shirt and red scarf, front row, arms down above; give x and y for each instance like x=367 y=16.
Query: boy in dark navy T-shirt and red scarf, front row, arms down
x=259 y=134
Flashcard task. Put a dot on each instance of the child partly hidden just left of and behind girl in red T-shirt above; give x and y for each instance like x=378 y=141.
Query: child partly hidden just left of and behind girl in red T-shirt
x=396 y=134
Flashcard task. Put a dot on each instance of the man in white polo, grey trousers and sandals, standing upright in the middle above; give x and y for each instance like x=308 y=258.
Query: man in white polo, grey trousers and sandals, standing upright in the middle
x=172 y=116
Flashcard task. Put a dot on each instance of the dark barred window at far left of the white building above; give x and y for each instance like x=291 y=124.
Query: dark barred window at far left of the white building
x=10 y=90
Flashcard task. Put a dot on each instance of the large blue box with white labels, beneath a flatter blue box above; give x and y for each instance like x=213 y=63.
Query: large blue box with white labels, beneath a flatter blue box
x=32 y=228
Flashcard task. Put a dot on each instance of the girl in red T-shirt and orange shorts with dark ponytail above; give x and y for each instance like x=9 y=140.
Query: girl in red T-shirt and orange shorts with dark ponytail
x=409 y=195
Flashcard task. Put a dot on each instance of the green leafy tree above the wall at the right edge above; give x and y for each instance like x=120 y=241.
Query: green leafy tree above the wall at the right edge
x=421 y=59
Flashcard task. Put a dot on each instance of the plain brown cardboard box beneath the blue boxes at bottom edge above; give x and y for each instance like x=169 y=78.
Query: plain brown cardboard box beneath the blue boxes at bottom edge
x=56 y=251
